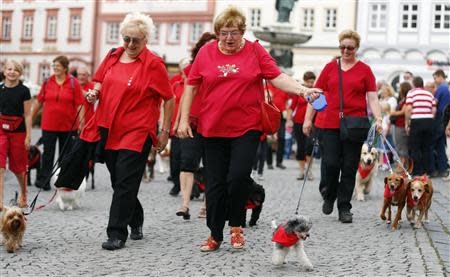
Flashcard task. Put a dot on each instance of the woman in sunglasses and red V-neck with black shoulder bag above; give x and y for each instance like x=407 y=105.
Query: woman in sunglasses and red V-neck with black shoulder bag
x=341 y=158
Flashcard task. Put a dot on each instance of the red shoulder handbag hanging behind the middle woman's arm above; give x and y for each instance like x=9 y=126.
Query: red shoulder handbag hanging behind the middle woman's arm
x=270 y=115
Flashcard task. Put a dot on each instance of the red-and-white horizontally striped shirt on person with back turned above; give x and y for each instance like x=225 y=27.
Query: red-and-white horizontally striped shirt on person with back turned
x=422 y=102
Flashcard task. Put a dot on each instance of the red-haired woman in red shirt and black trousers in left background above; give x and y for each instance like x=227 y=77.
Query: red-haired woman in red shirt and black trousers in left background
x=60 y=97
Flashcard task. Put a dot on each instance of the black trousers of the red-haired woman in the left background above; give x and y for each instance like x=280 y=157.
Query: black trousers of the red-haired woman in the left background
x=49 y=139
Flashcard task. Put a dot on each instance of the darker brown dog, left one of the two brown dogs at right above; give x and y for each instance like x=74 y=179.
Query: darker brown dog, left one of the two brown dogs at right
x=394 y=195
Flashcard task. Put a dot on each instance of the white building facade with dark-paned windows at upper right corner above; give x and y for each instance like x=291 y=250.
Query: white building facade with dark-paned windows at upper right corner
x=399 y=36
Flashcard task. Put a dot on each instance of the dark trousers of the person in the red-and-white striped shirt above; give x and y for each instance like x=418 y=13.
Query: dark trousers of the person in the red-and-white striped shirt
x=419 y=144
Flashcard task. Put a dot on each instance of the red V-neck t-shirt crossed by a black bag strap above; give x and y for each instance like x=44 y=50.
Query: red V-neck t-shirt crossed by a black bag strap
x=356 y=82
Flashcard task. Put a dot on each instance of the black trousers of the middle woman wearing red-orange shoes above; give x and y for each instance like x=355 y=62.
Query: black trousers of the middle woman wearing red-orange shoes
x=228 y=166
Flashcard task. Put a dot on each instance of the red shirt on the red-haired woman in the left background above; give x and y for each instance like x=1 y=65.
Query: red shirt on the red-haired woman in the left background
x=60 y=104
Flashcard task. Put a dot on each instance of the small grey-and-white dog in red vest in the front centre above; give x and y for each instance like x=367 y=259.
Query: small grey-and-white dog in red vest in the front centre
x=291 y=235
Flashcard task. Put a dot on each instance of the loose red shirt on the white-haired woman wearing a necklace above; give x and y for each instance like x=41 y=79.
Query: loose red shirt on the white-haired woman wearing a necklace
x=130 y=97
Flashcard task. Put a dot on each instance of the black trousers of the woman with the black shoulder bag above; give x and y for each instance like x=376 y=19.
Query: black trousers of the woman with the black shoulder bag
x=341 y=160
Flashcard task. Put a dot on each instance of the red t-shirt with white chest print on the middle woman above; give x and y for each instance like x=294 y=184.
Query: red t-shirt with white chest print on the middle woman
x=232 y=88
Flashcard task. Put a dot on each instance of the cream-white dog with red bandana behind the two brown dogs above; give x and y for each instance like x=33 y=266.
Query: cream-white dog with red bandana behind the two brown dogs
x=367 y=170
